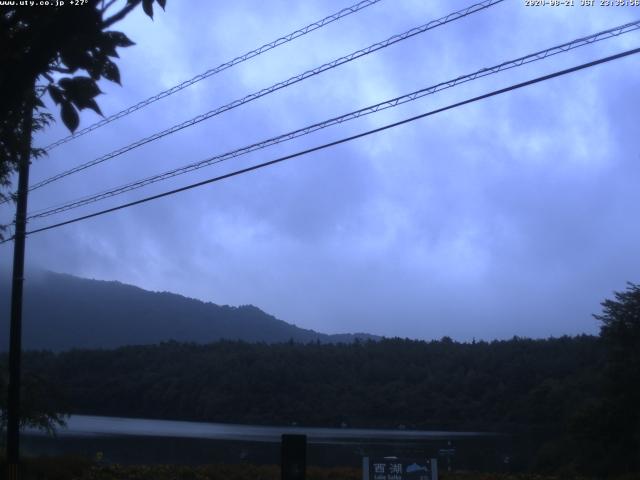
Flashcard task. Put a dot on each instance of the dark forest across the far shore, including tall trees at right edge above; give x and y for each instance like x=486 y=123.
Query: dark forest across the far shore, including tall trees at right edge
x=578 y=396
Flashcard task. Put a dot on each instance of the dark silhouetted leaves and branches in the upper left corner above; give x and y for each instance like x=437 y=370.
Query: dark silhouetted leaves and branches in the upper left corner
x=67 y=49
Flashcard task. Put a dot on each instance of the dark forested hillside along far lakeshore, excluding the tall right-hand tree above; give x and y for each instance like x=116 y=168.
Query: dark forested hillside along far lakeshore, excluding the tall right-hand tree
x=511 y=385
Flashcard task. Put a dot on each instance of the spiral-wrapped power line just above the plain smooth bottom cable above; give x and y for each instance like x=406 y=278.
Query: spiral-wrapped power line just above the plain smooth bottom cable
x=533 y=57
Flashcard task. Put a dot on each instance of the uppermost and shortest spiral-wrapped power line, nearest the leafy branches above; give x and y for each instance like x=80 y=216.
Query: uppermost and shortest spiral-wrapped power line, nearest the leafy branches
x=242 y=58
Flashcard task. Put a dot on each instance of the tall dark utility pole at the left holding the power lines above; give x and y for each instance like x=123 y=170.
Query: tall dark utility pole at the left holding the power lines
x=15 y=334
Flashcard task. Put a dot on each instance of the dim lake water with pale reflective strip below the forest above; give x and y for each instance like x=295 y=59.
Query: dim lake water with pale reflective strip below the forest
x=134 y=440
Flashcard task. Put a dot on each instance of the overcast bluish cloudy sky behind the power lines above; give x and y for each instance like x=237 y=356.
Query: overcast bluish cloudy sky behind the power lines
x=513 y=216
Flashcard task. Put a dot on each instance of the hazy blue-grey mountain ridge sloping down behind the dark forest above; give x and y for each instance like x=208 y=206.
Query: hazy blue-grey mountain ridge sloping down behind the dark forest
x=62 y=311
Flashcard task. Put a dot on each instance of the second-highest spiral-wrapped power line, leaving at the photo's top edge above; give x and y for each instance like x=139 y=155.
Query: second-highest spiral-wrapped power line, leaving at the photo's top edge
x=298 y=78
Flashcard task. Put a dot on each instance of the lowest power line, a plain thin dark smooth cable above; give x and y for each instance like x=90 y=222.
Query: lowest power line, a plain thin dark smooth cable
x=343 y=140
